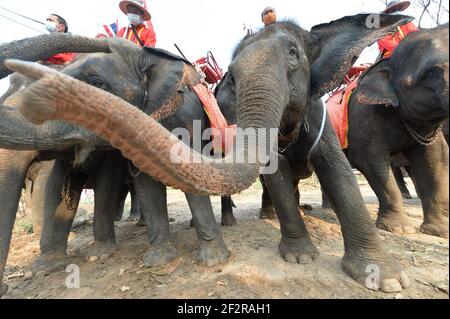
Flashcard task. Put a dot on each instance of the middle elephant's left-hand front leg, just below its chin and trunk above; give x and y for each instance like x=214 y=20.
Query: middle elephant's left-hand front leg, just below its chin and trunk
x=296 y=245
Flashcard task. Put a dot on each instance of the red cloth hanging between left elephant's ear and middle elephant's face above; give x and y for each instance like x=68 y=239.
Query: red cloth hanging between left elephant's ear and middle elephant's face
x=223 y=135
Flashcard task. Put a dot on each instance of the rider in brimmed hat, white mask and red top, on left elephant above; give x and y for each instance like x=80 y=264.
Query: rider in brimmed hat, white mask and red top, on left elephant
x=140 y=30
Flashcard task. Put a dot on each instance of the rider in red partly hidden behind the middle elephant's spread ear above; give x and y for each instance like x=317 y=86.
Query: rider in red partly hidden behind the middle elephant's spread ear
x=388 y=44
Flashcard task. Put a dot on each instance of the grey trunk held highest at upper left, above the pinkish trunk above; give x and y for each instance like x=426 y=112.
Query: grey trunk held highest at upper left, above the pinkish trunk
x=45 y=46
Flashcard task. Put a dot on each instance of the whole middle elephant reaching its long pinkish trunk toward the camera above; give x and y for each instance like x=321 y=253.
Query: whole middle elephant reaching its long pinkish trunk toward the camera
x=276 y=76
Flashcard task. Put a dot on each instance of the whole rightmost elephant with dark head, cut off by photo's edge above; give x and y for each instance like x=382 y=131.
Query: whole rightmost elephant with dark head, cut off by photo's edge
x=403 y=113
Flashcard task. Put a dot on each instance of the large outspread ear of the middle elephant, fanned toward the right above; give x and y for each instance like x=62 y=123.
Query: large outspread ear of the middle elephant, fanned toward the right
x=336 y=46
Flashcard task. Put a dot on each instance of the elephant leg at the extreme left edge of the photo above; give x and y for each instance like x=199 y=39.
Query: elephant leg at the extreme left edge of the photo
x=13 y=169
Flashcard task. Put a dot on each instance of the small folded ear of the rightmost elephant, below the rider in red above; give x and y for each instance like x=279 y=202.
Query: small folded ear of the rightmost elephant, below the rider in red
x=375 y=86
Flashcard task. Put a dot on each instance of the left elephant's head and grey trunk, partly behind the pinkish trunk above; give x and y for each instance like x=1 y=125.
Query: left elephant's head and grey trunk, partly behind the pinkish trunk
x=148 y=78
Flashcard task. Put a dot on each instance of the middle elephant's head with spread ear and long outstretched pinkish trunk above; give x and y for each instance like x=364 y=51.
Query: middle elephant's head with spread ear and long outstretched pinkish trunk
x=274 y=75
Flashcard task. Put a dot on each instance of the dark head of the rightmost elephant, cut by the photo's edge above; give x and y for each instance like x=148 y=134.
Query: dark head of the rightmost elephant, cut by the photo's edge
x=414 y=79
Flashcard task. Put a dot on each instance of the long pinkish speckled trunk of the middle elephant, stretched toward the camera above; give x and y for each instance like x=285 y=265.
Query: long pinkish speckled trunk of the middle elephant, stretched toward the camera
x=140 y=138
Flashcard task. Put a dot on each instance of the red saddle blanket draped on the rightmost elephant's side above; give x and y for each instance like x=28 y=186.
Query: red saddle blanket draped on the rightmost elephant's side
x=337 y=104
